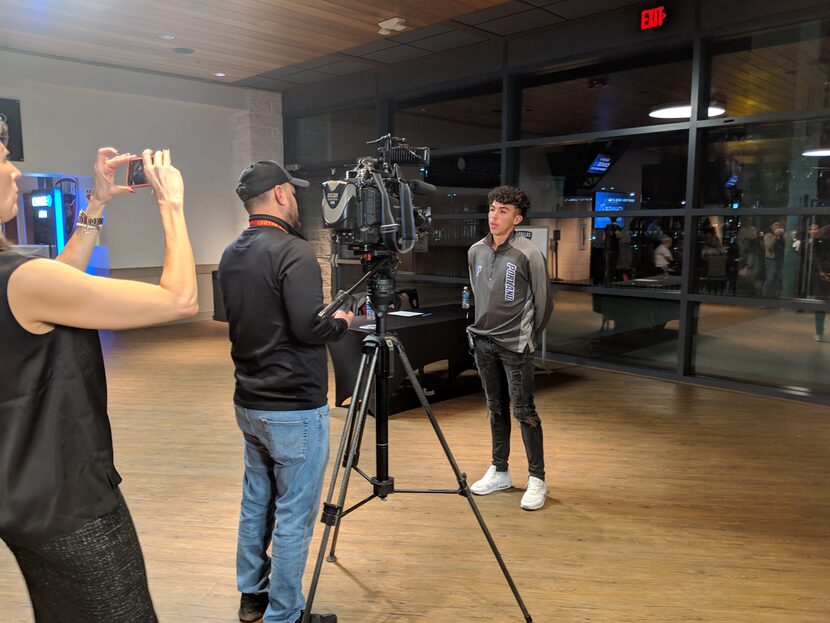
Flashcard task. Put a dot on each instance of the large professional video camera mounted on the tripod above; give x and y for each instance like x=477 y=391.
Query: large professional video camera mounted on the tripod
x=371 y=210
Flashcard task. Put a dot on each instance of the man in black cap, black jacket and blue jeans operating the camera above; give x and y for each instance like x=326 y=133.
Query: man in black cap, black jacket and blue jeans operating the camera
x=272 y=290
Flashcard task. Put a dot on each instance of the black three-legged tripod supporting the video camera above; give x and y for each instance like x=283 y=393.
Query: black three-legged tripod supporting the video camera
x=379 y=351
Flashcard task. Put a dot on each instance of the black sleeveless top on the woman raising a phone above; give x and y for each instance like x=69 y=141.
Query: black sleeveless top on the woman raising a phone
x=56 y=469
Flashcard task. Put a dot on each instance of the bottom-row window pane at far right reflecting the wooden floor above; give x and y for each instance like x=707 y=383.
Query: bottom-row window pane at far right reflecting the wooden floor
x=774 y=347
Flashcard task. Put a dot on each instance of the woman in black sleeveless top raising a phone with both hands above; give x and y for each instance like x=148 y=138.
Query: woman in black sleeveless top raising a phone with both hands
x=61 y=512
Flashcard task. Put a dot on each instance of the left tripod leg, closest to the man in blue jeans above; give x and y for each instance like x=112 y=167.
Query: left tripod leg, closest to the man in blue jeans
x=352 y=432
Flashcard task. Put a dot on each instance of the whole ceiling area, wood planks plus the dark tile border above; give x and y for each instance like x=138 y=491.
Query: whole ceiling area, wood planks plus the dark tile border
x=270 y=44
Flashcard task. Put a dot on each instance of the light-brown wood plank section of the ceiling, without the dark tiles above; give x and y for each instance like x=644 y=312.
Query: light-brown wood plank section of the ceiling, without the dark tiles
x=242 y=38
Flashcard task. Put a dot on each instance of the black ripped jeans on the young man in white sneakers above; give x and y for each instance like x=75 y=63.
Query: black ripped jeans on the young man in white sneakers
x=507 y=378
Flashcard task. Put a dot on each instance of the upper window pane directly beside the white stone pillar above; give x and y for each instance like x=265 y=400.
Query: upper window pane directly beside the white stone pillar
x=334 y=136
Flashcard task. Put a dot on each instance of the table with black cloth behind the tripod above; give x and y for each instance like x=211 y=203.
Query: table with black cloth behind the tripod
x=440 y=334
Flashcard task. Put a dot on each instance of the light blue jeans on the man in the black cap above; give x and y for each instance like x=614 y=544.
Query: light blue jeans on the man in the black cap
x=285 y=458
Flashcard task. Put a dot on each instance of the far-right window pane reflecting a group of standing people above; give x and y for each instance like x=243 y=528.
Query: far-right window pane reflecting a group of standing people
x=763 y=256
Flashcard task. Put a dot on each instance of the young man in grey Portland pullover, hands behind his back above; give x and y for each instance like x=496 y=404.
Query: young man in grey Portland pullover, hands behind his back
x=510 y=284
